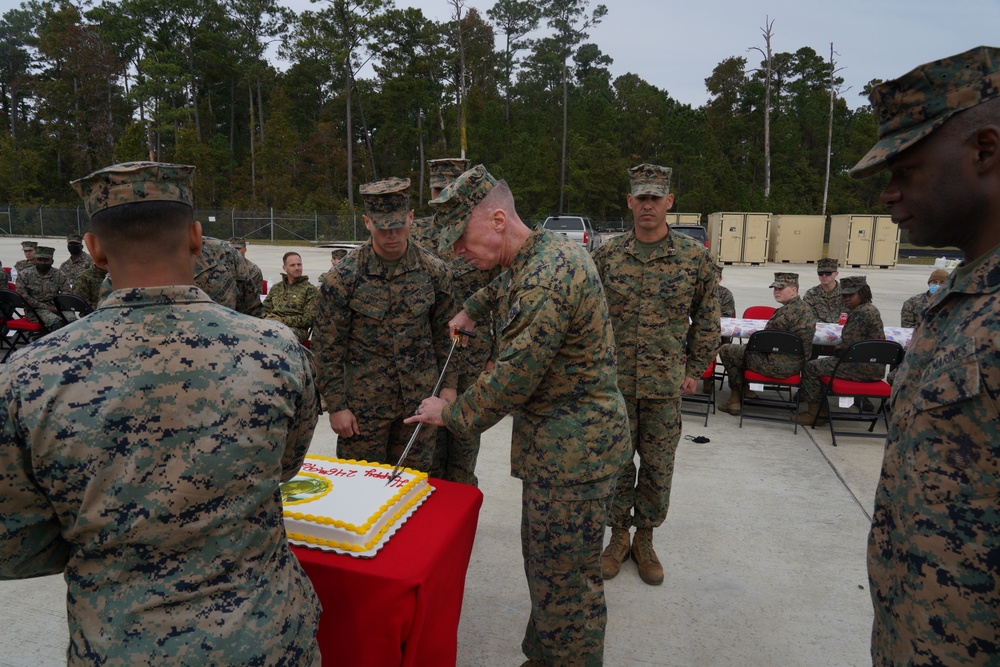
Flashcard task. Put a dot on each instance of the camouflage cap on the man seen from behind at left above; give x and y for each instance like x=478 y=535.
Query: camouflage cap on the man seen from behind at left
x=134 y=182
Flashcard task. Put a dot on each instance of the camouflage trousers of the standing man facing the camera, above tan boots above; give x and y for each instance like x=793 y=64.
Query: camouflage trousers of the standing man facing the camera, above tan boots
x=642 y=497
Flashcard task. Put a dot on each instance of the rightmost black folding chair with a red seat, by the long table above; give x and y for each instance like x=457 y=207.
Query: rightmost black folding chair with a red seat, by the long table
x=834 y=386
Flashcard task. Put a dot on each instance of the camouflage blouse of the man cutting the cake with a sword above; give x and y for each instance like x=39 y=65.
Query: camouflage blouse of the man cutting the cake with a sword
x=555 y=368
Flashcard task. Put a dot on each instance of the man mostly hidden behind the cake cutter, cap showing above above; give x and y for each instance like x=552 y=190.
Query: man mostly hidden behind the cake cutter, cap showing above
x=458 y=454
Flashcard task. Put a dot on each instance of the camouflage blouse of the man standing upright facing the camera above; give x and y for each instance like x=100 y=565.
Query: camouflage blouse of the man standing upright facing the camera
x=665 y=315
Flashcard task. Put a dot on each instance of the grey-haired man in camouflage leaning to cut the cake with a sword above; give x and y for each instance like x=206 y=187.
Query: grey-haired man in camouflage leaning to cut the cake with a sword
x=555 y=372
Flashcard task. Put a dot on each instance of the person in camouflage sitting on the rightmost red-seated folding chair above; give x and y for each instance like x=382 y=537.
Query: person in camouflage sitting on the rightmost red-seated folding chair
x=864 y=322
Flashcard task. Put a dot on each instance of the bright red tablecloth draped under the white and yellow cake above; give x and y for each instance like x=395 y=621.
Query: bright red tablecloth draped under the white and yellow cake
x=401 y=607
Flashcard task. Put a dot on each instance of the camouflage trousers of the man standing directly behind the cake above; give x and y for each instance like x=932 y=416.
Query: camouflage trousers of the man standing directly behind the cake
x=383 y=439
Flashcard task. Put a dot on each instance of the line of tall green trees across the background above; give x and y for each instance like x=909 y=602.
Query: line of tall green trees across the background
x=521 y=89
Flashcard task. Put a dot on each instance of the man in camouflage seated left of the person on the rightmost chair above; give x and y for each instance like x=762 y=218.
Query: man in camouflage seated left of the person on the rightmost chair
x=794 y=316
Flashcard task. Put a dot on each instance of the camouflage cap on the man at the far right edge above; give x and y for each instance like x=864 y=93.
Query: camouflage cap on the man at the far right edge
x=914 y=105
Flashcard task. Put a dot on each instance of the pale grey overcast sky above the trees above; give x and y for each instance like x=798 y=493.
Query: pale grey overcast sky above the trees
x=676 y=45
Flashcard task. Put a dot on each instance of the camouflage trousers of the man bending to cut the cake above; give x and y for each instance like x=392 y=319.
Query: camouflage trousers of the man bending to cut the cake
x=562 y=531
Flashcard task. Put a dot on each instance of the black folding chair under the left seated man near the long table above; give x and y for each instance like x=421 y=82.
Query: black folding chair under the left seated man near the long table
x=773 y=342
